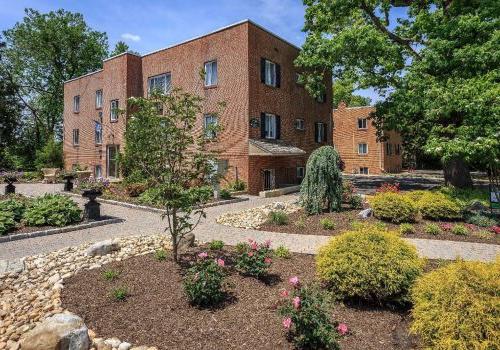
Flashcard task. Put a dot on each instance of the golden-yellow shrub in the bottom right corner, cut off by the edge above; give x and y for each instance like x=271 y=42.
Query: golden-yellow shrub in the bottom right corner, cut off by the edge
x=458 y=306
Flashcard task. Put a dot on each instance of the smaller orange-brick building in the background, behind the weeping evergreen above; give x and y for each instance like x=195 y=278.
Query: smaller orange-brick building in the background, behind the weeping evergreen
x=354 y=137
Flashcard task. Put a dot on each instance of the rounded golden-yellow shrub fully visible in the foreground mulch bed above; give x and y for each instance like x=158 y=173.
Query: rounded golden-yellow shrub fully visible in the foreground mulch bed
x=371 y=264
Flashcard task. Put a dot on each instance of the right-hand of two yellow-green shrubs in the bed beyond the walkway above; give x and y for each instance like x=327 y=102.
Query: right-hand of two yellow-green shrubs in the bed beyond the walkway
x=438 y=206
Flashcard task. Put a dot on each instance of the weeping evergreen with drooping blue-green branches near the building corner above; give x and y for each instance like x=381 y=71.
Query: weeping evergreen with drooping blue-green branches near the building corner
x=322 y=186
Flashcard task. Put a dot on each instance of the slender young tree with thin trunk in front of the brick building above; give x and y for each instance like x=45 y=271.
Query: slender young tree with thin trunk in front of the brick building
x=161 y=143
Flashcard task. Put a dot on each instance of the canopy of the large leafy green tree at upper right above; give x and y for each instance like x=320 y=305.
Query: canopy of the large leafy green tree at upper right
x=436 y=63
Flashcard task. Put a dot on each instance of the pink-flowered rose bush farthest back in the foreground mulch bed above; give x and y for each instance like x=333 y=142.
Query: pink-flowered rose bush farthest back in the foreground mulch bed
x=255 y=259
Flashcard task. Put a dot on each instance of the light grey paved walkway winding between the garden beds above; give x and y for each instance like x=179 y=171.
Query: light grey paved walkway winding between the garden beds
x=141 y=222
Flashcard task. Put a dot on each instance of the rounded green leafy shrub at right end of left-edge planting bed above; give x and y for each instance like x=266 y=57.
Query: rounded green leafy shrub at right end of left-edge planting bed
x=53 y=210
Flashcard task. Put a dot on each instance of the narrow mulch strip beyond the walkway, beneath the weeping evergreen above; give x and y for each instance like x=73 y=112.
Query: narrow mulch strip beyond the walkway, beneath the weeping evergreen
x=343 y=221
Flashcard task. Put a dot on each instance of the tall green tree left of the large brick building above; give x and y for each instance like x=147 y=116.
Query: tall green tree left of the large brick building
x=43 y=51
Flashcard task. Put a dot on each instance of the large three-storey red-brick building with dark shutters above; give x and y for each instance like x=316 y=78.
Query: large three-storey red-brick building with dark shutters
x=270 y=124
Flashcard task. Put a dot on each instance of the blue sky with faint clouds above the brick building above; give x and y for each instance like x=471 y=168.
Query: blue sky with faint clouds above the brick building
x=150 y=25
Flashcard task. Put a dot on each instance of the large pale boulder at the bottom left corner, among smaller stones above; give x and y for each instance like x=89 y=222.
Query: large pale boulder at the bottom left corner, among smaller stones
x=61 y=331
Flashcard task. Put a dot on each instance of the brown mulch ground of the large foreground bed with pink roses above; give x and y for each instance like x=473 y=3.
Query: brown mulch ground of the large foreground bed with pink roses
x=157 y=313
